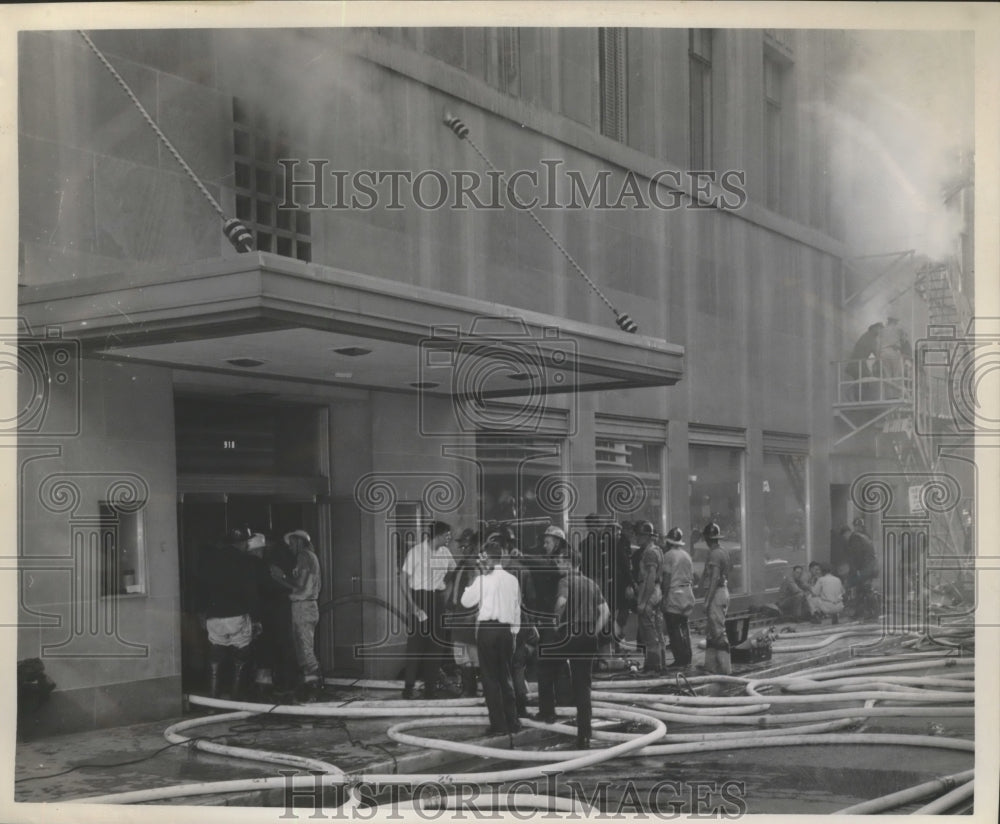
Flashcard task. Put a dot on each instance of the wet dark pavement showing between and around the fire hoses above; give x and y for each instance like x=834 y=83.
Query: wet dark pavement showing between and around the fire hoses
x=787 y=779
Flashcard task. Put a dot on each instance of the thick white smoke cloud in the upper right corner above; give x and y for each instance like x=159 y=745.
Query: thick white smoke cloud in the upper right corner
x=901 y=126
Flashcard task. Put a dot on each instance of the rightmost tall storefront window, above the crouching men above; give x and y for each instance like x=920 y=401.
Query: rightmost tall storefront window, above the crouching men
x=786 y=527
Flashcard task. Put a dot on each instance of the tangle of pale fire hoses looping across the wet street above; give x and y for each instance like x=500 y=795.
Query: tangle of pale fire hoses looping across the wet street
x=898 y=696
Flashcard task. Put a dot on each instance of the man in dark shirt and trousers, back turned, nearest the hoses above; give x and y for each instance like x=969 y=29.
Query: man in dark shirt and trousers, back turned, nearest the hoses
x=582 y=614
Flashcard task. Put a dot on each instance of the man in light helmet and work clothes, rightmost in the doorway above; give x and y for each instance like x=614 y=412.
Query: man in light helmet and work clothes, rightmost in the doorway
x=303 y=591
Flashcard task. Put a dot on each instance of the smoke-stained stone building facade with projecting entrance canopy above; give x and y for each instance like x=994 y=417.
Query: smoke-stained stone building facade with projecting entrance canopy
x=405 y=342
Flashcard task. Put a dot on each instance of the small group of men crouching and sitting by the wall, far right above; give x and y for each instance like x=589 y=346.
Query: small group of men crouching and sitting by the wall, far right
x=823 y=593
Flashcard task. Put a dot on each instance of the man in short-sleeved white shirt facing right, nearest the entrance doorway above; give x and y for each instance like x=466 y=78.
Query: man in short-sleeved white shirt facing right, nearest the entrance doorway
x=422 y=580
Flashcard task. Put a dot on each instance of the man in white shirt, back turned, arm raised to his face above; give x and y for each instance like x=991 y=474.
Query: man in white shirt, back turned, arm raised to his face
x=498 y=596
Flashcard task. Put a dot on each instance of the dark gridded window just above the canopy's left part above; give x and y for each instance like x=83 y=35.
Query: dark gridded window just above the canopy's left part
x=258 y=144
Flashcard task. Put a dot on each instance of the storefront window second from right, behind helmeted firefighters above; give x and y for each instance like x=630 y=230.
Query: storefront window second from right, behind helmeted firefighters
x=716 y=487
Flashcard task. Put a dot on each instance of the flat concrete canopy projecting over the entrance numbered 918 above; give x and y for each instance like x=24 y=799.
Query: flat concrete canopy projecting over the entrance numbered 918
x=275 y=318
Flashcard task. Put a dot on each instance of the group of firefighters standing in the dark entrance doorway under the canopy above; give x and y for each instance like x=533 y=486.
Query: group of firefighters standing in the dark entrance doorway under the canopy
x=258 y=599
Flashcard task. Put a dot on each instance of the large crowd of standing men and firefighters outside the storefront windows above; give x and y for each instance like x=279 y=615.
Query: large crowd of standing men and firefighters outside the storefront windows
x=500 y=611
